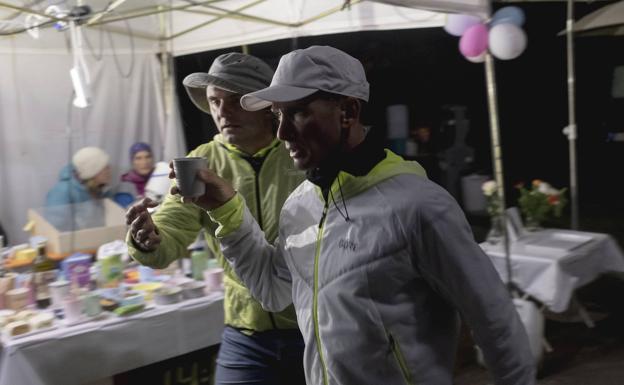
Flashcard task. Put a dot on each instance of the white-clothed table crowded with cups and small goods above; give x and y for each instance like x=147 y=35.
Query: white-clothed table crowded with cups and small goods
x=86 y=318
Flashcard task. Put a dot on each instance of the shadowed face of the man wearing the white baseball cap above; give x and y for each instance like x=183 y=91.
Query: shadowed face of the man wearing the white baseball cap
x=310 y=128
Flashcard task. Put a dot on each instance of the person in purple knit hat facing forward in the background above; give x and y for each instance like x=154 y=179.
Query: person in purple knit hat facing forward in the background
x=142 y=167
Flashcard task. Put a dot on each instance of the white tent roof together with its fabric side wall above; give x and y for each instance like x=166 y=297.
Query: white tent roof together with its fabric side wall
x=132 y=101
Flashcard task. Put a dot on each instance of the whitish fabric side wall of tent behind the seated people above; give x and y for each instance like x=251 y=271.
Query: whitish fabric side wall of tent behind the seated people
x=36 y=115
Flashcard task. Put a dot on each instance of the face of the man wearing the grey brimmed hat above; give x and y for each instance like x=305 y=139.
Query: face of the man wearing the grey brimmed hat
x=248 y=130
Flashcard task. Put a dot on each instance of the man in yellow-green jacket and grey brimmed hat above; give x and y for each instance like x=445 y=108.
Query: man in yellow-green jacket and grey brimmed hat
x=257 y=347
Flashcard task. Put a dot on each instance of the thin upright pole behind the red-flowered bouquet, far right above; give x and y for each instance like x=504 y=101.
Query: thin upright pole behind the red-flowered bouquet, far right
x=571 y=129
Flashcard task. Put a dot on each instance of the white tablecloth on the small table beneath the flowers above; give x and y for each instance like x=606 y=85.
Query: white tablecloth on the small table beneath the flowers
x=550 y=275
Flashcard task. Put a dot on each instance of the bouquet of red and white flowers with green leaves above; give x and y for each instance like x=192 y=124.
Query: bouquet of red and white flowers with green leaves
x=539 y=202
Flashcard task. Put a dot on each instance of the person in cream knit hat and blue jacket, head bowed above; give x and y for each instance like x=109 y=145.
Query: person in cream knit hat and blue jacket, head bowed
x=85 y=178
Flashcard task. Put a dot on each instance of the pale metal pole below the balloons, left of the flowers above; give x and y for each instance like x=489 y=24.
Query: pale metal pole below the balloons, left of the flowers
x=497 y=158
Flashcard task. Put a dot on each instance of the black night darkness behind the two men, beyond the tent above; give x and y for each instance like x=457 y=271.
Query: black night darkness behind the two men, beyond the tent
x=423 y=69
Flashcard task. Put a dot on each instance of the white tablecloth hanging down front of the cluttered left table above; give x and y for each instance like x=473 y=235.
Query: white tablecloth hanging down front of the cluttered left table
x=94 y=350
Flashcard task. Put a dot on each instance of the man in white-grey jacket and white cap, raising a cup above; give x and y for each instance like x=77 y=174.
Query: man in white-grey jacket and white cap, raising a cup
x=378 y=261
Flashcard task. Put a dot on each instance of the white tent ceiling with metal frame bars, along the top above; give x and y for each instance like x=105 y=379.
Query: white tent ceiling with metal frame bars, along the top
x=194 y=26
